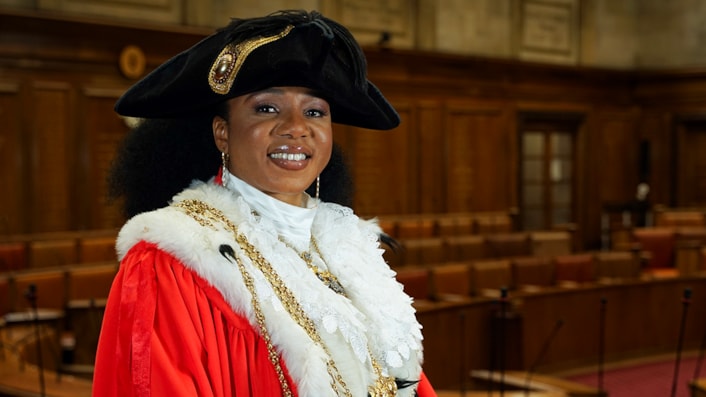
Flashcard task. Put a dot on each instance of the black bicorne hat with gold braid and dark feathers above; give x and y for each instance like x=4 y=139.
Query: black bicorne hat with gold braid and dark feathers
x=288 y=48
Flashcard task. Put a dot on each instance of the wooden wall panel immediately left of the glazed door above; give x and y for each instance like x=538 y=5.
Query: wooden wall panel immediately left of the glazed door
x=481 y=157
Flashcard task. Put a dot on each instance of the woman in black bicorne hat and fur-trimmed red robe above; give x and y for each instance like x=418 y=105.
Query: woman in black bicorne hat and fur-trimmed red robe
x=242 y=284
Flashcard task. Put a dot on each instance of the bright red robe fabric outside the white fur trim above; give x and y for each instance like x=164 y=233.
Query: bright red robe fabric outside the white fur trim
x=167 y=332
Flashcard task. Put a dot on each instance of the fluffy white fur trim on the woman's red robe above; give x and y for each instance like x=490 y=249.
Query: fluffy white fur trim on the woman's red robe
x=377 y=314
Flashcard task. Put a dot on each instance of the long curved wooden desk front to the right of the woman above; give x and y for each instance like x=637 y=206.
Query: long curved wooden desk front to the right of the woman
x=642 y=318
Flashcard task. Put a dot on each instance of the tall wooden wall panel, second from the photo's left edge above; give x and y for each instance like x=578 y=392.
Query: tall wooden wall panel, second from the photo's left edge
x=53 y=157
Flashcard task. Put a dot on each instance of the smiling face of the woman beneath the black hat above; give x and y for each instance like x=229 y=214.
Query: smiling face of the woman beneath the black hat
x=279 y=140
